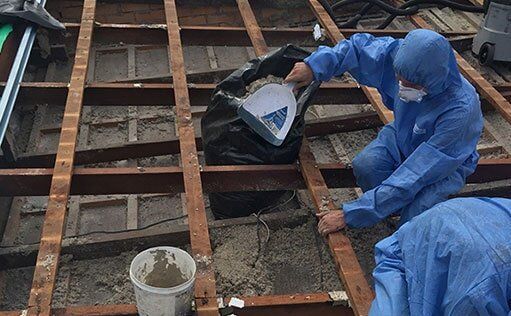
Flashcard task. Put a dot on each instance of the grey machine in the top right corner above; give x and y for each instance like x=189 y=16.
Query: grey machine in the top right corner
x=493 y=41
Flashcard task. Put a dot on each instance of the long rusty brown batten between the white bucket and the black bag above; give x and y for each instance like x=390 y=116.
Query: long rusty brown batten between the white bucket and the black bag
x=205 y=288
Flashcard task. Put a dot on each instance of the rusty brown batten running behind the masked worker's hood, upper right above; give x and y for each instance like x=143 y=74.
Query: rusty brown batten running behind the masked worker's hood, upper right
x=482 y=85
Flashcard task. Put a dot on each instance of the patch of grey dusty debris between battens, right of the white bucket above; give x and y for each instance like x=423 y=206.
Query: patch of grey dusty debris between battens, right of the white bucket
x=293 y=261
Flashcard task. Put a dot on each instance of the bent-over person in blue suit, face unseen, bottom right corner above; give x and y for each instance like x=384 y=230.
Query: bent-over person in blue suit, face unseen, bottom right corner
x=454 y=259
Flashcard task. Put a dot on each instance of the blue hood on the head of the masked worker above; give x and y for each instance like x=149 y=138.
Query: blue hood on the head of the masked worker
x=426 y=58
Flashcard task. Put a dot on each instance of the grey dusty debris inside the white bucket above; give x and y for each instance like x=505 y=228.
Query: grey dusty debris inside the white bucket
x=165 y=272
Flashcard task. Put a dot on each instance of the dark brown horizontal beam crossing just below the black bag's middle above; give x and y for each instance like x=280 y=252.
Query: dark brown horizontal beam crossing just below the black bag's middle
x=26 y=182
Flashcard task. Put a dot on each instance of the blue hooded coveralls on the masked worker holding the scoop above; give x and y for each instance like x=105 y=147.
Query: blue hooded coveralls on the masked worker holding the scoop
x=427 y=152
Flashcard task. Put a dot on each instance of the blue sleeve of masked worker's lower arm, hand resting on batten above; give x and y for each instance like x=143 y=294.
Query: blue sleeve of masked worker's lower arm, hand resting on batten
x=432 y=161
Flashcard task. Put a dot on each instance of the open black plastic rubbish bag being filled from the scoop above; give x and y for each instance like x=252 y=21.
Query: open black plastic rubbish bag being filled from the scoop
x=228 y=140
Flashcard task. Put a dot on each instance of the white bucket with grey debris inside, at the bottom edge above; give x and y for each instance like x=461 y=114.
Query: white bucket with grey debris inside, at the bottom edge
x=154 y=266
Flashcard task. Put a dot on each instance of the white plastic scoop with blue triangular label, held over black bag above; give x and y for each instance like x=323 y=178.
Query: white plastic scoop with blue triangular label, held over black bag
x=270 y=111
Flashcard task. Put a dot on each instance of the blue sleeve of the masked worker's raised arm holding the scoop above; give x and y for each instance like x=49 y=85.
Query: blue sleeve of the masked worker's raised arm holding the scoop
x=367 y=58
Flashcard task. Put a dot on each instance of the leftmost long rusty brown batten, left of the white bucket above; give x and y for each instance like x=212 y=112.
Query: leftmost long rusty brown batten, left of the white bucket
x=49 y=253
